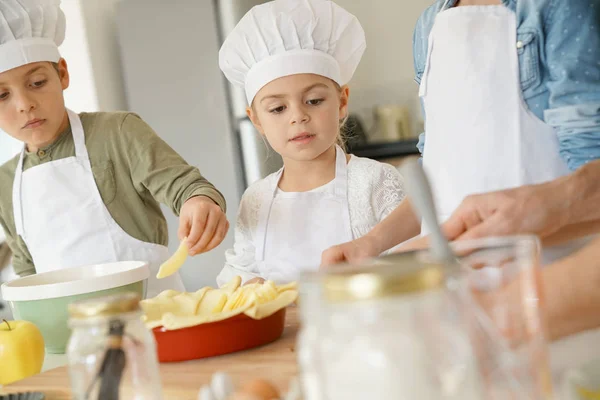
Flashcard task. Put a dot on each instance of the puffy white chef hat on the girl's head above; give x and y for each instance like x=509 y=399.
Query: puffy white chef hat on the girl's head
x=287 y=37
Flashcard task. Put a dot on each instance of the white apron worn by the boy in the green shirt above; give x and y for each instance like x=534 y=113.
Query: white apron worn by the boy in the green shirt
x=60 y=215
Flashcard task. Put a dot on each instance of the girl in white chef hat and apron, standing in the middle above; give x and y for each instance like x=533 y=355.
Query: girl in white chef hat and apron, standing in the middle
x=294 y=59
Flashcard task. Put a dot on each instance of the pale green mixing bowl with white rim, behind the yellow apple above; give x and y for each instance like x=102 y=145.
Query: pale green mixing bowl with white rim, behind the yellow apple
x=43 y=299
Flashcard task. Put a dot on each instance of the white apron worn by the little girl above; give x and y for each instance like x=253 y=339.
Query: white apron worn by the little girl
x=295 y=228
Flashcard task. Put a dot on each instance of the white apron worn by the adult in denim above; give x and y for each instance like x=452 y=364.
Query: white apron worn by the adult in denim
x=480 y=135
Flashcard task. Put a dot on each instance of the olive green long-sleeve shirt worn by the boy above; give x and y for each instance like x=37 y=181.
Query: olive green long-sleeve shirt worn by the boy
x=134 y=169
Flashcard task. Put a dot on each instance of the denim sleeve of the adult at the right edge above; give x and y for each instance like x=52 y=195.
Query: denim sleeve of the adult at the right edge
x=572 y=48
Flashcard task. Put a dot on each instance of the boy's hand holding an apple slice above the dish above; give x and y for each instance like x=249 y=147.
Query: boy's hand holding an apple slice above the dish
x=203 y=223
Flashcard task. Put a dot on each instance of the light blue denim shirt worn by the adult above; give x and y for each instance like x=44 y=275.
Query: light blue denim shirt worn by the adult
x=558 y=45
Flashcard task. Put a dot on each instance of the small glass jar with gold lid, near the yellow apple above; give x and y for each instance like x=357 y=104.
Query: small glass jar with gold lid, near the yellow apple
x=111 y=354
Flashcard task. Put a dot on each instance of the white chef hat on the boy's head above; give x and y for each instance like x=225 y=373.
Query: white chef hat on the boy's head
x=30 y=31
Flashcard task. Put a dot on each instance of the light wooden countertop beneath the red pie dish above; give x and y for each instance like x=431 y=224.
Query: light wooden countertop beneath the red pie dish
x=182 y=381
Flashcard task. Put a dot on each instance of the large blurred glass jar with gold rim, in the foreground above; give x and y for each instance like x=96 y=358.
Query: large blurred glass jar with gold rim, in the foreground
x=391 y=330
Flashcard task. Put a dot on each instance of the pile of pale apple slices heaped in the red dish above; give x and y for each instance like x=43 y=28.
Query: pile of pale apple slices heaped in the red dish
x=175 y=310
